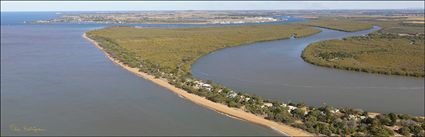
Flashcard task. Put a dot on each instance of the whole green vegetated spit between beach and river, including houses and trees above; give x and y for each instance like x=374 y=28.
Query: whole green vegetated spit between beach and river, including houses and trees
x=168 y=54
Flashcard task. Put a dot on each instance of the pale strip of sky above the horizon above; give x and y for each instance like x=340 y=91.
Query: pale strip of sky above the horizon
x=202 y=5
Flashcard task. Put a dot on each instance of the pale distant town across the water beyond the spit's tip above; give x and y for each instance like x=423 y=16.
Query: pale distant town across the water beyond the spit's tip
x=168 y=17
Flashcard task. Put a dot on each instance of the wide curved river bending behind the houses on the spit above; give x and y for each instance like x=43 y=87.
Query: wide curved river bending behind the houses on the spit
x=275 y=70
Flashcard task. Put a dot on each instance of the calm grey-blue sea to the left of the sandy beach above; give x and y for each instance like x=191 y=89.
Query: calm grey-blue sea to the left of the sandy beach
x=53 y=79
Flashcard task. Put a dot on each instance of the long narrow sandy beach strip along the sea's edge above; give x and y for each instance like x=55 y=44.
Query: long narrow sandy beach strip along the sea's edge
x=221 y=108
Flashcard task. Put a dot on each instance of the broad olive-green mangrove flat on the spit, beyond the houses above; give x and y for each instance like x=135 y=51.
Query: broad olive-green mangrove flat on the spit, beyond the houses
x=176 y=49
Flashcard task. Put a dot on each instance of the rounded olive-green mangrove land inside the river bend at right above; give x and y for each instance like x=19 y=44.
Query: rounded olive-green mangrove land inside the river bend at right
x=375 y=53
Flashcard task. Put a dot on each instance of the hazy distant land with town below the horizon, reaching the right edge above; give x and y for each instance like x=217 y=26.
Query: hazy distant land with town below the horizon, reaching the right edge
x=214 y=17
